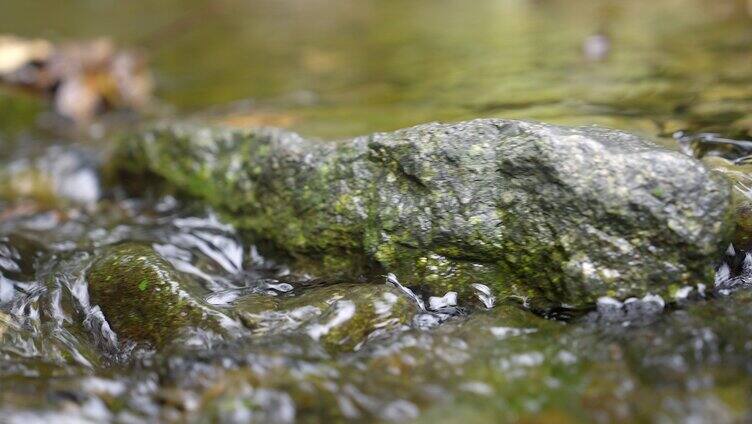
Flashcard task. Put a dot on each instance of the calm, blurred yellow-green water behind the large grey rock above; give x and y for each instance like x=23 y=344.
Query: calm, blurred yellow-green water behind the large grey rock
x=336 y=67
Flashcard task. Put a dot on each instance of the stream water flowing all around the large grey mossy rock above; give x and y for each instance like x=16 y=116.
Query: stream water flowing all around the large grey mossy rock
x=294 y=347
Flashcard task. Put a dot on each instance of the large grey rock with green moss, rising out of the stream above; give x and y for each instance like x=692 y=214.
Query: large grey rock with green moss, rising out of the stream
x=564 y=214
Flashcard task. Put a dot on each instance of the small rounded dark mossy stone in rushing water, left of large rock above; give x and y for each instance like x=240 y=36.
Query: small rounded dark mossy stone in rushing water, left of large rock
x=143 y=298
